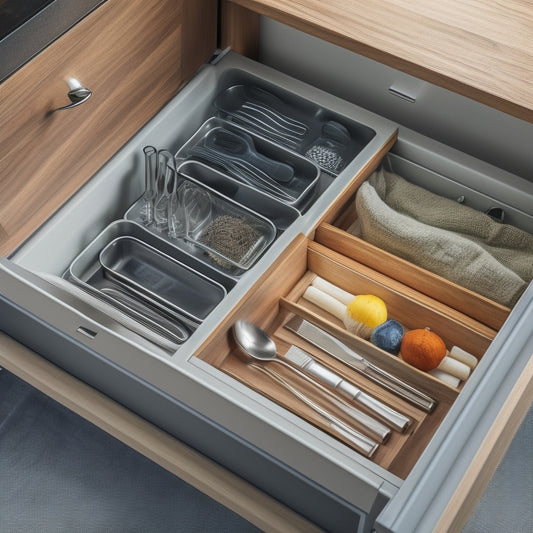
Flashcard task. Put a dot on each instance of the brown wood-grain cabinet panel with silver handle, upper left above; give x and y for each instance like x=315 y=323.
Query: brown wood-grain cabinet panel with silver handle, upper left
x=133 y=55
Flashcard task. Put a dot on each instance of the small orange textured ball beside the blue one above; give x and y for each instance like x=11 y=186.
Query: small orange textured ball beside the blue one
x=423 y=349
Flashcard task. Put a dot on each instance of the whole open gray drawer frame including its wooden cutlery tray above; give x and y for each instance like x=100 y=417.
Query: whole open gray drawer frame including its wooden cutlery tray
x=257 y=430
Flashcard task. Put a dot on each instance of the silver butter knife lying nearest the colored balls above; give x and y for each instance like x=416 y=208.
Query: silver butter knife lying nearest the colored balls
x=337 y=349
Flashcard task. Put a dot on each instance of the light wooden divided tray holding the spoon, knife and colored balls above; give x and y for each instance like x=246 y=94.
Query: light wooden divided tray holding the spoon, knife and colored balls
x=277 y=296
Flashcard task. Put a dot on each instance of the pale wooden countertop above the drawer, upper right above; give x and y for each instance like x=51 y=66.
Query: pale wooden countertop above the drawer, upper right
x=478 y=48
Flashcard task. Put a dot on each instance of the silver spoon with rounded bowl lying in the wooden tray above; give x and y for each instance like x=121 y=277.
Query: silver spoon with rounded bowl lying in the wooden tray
x=254 y=343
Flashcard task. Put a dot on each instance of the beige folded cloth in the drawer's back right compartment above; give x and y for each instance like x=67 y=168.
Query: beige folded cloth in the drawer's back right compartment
x=444 y=237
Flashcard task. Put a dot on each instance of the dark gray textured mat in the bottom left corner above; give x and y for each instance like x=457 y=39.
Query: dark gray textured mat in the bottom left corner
x=59 y=473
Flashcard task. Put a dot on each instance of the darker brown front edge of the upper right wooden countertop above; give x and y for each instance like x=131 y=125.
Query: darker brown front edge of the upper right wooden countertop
x=449 y=78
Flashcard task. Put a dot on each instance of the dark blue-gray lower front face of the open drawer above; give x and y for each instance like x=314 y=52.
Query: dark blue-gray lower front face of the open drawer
x=249 y=462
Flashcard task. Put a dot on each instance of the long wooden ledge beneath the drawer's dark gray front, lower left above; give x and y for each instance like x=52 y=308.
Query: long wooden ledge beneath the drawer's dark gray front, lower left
x=165 y=450
